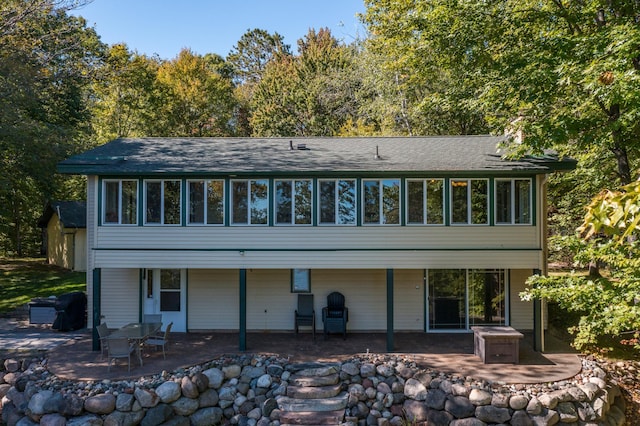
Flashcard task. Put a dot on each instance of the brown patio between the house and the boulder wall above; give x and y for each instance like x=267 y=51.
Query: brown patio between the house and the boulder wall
x=449 y=353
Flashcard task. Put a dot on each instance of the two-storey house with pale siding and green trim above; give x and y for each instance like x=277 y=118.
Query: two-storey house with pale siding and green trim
x=427 y=234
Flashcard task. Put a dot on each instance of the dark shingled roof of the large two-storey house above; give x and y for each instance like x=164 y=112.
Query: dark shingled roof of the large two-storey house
x=245 y=156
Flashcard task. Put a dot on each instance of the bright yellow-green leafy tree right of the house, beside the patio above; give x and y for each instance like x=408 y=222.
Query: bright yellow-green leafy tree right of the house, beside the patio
x=608 y=306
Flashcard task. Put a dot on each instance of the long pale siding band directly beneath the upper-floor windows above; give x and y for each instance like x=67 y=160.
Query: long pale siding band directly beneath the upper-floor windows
x=237 y=238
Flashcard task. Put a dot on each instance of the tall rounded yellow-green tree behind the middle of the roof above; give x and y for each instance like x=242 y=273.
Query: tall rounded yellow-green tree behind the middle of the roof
x=304 y=94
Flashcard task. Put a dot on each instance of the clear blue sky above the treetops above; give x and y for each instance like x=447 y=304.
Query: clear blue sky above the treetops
x=164 y=27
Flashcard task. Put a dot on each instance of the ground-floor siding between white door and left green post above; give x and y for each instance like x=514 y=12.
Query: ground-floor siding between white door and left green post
x=213 y=299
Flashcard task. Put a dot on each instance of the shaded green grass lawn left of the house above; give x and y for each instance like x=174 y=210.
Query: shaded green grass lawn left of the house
x=23 y=279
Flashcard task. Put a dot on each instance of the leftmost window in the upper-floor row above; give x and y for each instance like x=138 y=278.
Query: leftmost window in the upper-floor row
x=120 y=202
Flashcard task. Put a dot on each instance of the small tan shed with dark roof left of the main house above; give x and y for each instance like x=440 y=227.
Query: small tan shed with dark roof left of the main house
x=64 y=226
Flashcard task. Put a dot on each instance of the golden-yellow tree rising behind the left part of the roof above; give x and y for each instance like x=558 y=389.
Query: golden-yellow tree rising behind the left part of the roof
x=195 y=99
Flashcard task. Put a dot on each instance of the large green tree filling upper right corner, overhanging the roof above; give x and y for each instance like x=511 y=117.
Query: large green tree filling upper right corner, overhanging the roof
x=568 y=71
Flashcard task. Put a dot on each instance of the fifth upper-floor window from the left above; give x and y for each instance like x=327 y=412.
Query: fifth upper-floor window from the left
x=293 y=202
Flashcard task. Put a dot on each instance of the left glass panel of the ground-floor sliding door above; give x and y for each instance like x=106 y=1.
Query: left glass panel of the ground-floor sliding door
x=447 y=289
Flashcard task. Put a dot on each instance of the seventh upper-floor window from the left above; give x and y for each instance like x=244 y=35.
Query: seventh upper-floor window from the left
x=381 y=202
